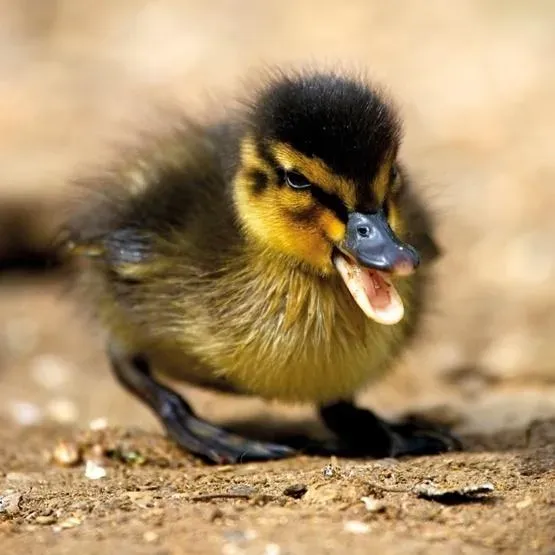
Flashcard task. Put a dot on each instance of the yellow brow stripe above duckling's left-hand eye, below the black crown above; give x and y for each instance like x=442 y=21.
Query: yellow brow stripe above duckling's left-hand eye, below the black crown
x=316 y=171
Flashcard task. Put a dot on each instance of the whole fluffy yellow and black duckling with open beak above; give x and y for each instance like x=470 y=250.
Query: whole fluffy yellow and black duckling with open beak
x=280 y=253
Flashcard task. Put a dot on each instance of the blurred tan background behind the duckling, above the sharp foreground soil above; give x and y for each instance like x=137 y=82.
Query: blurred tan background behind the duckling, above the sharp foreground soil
x=475 y=81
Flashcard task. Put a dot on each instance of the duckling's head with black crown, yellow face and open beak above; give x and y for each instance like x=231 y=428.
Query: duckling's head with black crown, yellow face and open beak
x=318 y=181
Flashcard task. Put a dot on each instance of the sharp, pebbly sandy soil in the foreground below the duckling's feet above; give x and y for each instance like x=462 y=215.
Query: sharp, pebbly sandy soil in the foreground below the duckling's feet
x=169 y=504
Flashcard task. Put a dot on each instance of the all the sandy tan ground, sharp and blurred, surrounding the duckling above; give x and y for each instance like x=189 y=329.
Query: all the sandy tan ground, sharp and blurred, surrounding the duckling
x=475 y=81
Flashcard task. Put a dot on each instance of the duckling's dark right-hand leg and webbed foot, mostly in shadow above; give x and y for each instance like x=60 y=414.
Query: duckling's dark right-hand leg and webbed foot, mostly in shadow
x=361 y=433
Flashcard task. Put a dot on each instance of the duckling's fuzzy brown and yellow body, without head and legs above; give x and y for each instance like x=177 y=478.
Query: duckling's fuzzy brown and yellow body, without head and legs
x=175 y=274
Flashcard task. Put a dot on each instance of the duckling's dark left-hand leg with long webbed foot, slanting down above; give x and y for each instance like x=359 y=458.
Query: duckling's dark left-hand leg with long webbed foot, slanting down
x=182 y=425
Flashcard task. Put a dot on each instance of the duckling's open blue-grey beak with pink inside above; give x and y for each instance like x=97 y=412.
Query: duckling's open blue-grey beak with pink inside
x=367 y=257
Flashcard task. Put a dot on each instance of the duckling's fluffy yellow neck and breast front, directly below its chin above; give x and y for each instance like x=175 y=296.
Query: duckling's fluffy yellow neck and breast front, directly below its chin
x=292 y=334
